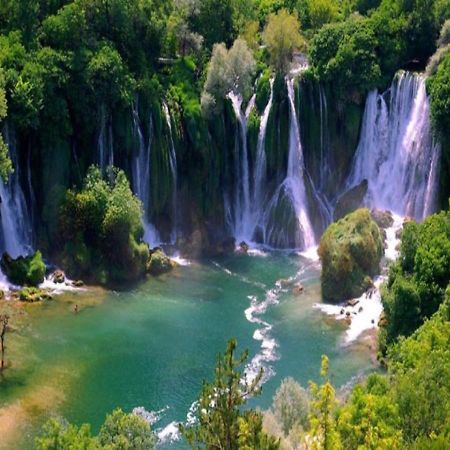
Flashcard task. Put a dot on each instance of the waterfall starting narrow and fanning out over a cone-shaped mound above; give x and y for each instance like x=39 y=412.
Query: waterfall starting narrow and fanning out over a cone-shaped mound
x=286 y=221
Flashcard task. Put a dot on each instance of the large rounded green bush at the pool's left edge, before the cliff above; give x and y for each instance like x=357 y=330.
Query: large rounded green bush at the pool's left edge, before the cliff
x=101 y=229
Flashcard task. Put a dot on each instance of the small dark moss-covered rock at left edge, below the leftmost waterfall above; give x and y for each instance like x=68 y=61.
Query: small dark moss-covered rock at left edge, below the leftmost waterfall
x=25 y=270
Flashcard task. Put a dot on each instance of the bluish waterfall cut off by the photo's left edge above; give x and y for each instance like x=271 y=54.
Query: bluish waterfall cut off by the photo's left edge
x=17 y=232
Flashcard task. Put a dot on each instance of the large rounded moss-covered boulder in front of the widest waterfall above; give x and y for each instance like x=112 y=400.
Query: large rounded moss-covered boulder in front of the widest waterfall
x=350 y=251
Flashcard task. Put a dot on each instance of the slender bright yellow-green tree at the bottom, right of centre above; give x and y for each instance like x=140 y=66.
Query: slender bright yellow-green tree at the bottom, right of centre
x=324 y=435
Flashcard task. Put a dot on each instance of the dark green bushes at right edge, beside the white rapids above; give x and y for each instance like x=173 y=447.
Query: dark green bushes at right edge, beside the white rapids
x=417 y=283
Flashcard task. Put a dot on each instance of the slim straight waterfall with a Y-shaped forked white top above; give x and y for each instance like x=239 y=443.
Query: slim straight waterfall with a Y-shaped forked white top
x=243 y=223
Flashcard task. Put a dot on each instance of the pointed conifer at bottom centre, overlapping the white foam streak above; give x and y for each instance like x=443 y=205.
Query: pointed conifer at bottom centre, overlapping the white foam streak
x=221 y=423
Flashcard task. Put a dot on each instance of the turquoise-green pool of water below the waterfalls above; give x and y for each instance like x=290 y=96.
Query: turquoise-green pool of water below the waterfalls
x=153 y=346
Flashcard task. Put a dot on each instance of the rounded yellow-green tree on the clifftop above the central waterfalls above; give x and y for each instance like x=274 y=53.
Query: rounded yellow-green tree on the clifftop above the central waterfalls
x=282 y=37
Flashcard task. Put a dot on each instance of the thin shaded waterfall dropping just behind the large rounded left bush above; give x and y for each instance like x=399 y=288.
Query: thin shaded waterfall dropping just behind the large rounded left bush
x=141 y=170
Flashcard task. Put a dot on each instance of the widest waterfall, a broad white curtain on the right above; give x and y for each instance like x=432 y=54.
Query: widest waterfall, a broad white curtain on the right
x=397 y=153
